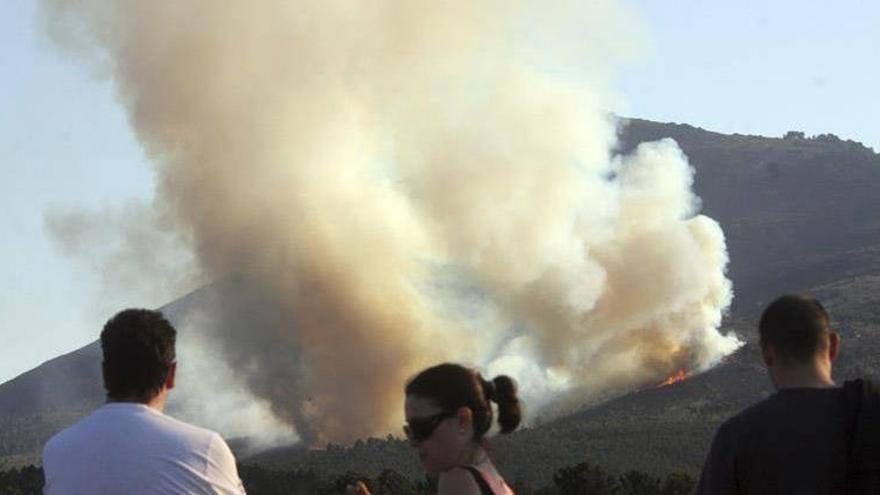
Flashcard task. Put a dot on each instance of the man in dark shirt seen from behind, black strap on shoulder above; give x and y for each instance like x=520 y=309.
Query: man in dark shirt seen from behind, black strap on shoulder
x=810 y=436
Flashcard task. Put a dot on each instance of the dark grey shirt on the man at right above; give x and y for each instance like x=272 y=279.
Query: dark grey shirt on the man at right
x=792 y=442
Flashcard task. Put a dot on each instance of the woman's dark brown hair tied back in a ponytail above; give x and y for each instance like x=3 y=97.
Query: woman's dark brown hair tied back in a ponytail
x=452 y=386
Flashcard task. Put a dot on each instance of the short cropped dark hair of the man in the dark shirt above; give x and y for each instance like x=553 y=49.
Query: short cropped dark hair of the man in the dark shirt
x=794 y=325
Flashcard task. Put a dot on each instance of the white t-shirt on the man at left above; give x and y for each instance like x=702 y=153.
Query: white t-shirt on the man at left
x=129 y=448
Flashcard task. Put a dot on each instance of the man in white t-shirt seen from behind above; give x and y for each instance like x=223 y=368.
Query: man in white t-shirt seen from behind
x=129 y=445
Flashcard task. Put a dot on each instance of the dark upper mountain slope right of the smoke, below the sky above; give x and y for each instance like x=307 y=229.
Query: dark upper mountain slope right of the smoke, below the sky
x=804 y=210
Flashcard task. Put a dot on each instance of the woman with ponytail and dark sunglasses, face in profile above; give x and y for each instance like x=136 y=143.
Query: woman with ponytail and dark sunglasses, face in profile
x=448 y=413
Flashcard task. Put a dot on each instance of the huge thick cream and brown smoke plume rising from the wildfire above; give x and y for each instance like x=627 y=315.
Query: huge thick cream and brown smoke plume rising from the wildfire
x=383 y=185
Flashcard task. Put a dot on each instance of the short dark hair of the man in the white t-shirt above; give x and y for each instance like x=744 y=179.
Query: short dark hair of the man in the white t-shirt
x=138 y=346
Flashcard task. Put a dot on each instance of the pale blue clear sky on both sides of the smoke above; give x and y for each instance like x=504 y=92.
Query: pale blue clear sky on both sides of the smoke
x=750 y=67
